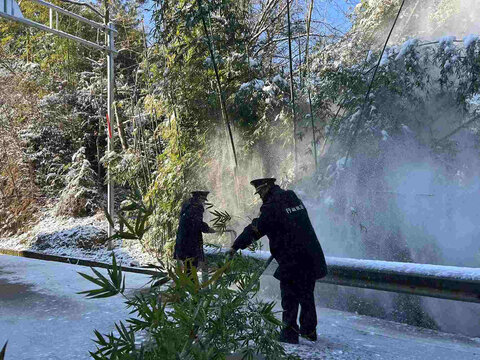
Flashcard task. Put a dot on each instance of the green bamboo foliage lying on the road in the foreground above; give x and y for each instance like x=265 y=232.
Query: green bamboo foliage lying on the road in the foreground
x=185 y=318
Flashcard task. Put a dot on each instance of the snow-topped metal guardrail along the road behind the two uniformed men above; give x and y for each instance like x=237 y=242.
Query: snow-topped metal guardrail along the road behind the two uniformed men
x=444 y=282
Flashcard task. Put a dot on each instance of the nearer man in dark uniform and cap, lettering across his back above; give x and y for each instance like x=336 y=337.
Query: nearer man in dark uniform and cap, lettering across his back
x=294 y=244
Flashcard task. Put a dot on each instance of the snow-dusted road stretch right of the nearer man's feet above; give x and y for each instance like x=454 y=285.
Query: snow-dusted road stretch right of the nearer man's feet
x=348 y=336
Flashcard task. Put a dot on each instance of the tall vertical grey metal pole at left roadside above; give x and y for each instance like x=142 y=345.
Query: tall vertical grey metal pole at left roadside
x=110 y=137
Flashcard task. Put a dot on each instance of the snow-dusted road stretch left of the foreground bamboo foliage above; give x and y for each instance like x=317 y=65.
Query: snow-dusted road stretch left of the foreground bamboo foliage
x=41 y=315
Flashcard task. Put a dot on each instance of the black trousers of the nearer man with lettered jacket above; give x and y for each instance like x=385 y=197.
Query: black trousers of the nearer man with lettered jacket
x=298 y=293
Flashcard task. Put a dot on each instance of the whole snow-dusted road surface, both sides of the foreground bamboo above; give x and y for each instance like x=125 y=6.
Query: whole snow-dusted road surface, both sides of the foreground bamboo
x=43 y=318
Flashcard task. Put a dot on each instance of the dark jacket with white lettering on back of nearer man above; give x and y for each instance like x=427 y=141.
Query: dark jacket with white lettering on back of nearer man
x=293 y=242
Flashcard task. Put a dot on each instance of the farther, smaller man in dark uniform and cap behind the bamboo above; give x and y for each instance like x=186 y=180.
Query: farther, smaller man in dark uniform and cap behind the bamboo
x=189 y=241
